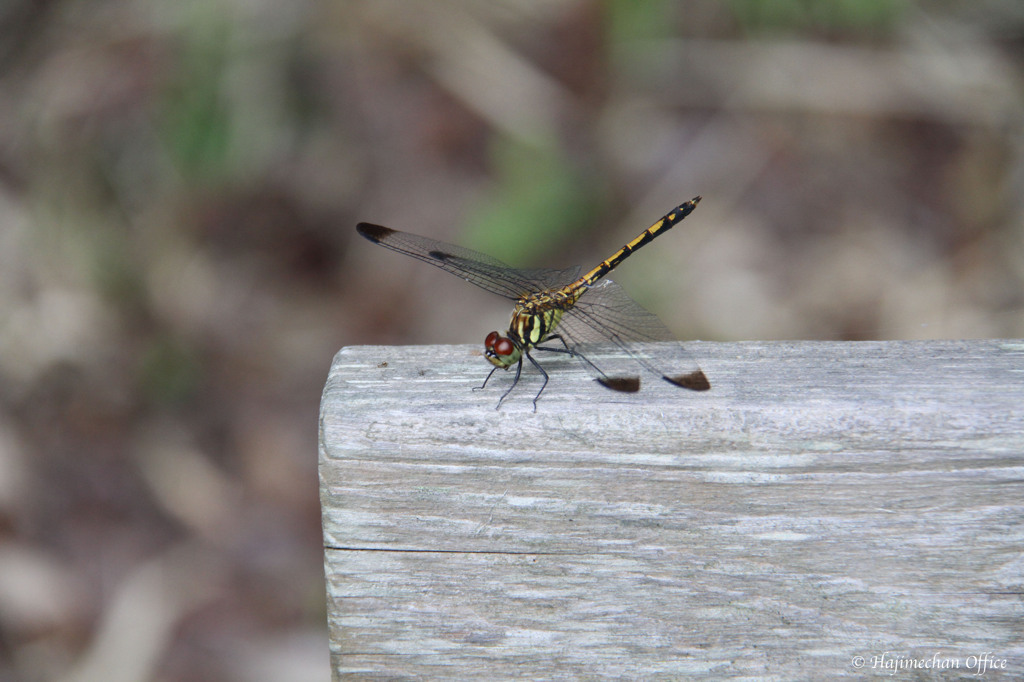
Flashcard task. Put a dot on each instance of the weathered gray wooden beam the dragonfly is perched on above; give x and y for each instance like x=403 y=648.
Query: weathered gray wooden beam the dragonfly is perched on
x=824 y=501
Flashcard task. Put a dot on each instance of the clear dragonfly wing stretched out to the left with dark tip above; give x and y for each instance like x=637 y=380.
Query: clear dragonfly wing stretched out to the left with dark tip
x=476 y=268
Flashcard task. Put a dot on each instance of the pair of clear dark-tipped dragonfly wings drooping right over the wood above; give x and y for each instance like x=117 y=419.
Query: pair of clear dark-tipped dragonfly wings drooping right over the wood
x=606 y=315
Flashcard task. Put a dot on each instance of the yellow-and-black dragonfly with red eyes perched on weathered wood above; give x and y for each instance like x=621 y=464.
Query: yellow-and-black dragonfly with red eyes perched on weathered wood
x=582 y=313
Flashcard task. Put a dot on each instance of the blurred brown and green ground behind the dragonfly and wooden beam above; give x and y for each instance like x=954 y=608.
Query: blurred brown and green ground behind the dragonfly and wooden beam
x=180 y=185
